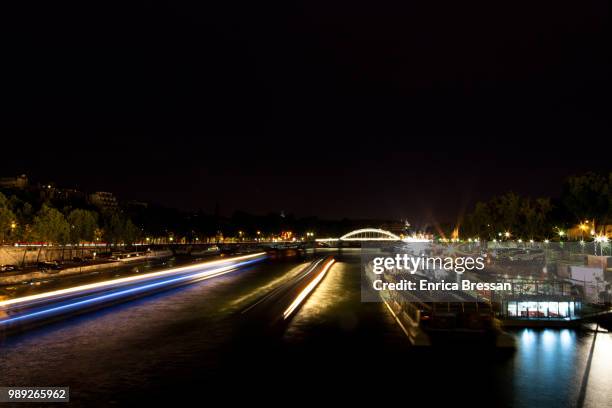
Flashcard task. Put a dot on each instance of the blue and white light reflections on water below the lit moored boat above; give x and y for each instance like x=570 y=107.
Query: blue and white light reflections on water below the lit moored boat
x=551 y=368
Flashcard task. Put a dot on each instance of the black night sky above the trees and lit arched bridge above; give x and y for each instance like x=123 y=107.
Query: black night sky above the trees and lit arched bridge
x=320 y=107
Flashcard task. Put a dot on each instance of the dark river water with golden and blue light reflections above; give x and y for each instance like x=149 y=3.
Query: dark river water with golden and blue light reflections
x=186 y=344
